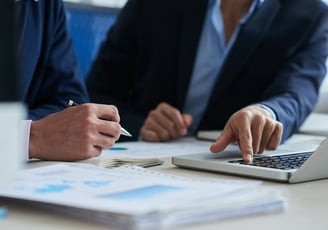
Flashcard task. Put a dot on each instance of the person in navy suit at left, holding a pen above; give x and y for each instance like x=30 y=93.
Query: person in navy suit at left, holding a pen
x=49 y=77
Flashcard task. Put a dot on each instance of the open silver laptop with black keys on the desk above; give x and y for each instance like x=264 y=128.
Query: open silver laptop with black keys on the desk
x=290 y=163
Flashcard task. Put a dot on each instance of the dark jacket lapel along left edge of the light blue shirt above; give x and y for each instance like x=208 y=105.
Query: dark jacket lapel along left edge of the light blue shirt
x=193 y=13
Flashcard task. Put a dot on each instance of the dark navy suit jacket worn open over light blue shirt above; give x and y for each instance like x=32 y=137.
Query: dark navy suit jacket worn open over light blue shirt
x=278 y=60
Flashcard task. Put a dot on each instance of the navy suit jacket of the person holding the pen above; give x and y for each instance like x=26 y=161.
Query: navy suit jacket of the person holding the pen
x=48 y=69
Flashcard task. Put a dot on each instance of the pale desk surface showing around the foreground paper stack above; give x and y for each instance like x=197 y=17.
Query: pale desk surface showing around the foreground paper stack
x=307 y=208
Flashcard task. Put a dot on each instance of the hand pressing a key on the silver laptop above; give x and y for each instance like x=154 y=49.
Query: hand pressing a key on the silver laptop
x=253 y=129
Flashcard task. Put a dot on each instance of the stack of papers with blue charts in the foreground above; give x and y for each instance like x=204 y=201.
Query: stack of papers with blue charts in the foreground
x=137 y=198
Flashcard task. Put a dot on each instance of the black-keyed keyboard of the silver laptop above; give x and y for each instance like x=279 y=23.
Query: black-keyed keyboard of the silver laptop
x=285 y=162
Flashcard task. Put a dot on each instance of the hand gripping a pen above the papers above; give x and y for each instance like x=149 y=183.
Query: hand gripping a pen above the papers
x=76 y=133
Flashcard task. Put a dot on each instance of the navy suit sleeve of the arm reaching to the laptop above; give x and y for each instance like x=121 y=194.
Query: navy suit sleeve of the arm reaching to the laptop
x=295 y=91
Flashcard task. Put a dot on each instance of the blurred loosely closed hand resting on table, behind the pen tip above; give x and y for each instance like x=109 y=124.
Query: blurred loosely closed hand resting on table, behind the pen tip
x=165 y=123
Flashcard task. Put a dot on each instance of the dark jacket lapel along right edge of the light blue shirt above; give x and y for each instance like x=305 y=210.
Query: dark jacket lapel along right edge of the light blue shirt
x=250 y=36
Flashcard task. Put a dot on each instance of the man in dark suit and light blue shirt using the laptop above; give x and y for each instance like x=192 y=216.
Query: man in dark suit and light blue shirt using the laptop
x=250 y=67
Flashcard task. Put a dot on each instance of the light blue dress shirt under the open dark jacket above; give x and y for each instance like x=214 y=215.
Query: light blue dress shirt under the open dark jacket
x=211 y=54
